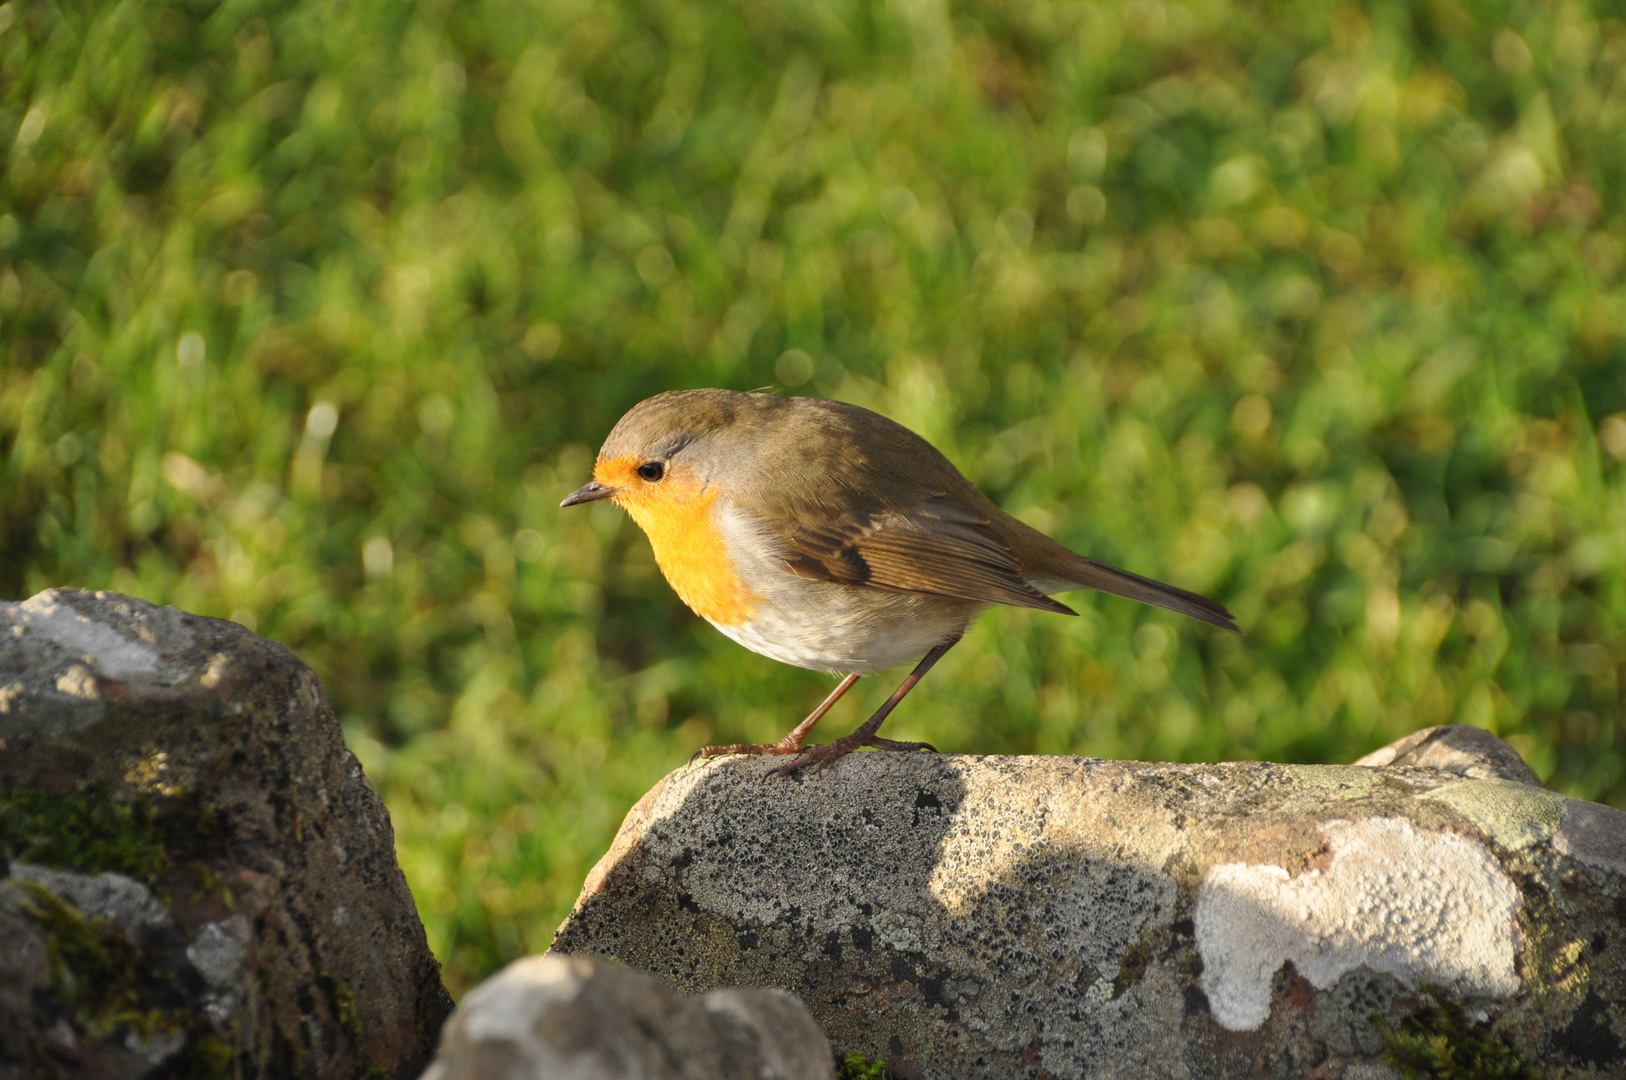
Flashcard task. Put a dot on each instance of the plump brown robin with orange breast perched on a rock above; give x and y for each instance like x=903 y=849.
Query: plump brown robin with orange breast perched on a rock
x=835 y=539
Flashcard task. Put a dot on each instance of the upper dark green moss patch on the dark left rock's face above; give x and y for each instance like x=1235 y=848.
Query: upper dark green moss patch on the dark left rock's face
x=80 y=834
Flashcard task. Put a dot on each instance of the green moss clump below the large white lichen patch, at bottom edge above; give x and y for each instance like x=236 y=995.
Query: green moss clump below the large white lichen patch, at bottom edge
x=1440 y=1042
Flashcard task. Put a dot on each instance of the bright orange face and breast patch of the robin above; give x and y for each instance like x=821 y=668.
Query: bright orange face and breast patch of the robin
x=692 y=552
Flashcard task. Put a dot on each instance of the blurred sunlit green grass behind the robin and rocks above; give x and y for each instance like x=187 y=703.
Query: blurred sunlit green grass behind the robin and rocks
x=311 y=313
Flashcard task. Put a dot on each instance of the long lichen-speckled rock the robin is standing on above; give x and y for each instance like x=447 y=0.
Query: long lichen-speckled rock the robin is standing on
x=1069 y=918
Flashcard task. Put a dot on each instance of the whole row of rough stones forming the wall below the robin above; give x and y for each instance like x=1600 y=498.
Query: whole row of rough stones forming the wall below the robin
x=199 y=882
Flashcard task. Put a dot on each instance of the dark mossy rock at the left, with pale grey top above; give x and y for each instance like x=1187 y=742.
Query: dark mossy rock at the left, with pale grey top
x=196 y=879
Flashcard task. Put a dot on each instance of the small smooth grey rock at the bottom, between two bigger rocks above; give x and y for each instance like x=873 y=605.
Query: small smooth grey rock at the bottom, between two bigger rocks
x=585 y=1019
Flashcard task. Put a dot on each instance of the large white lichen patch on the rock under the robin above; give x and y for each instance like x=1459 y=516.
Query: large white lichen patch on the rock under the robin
x=1420 y=907
